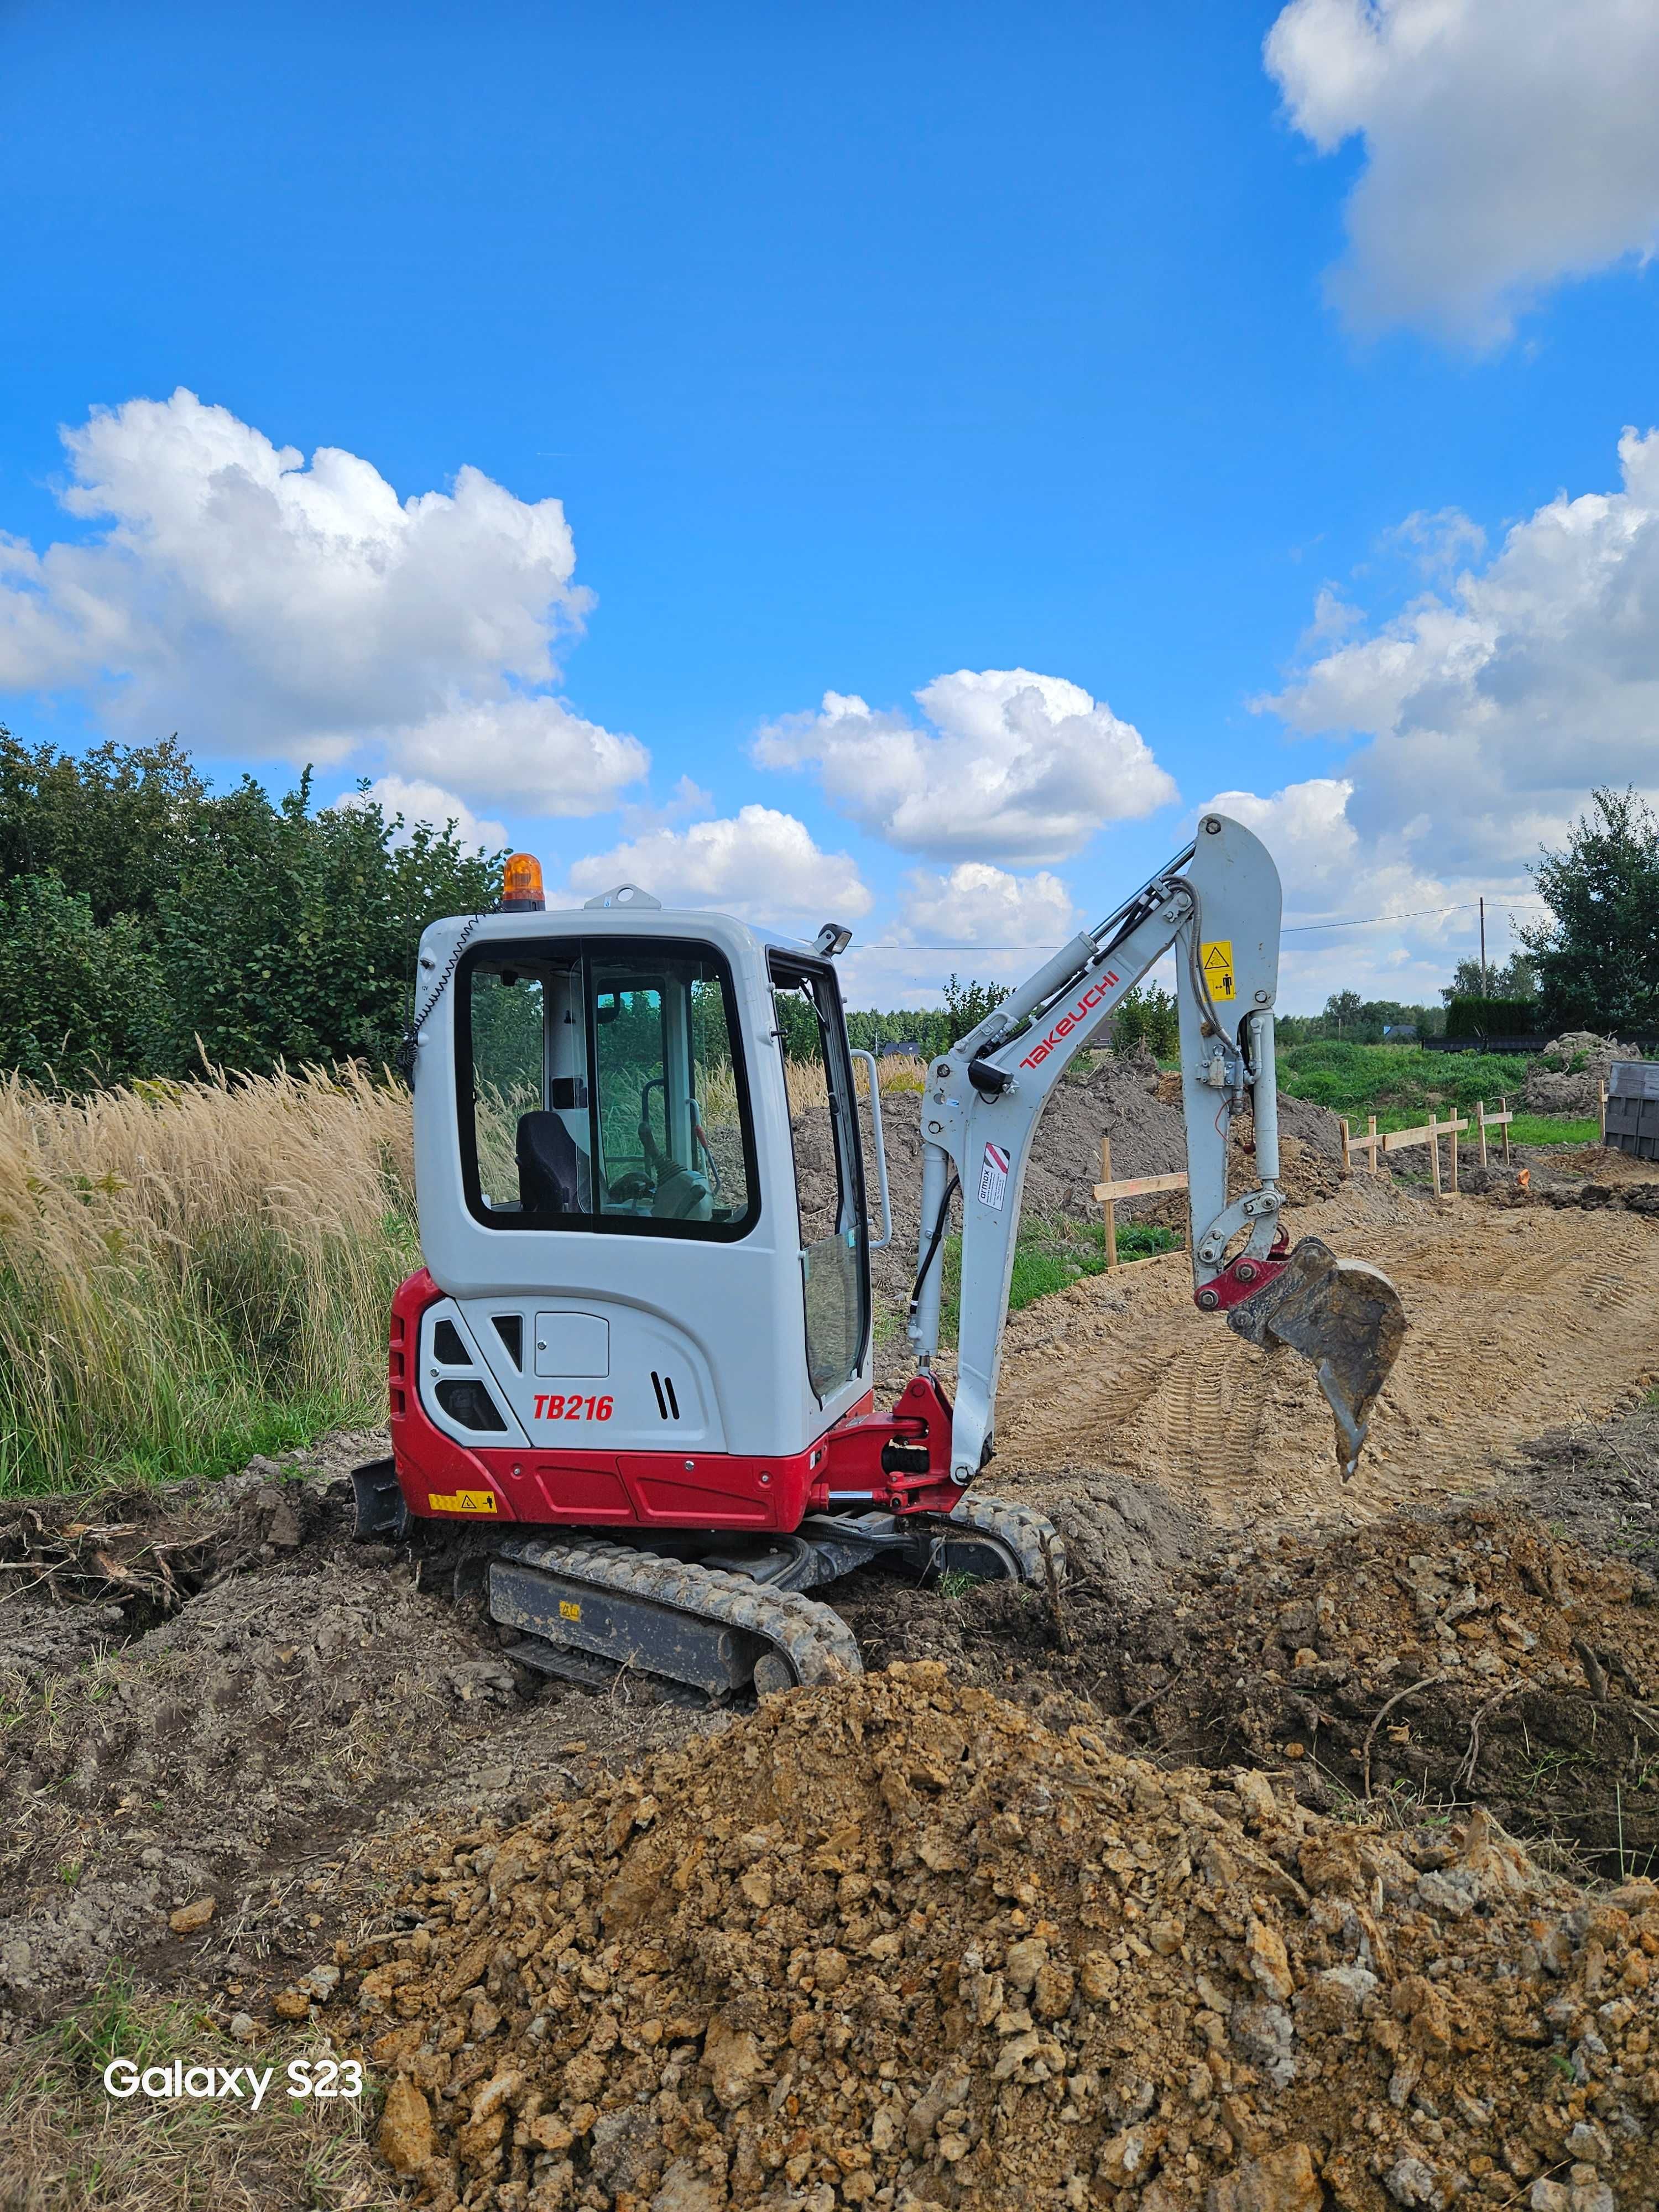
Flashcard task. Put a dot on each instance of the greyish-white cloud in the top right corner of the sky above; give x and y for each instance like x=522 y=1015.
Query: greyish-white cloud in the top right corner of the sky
x=1510 y=145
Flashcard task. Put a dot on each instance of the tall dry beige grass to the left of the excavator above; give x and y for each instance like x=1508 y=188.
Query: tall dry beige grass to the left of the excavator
x=191 y=1273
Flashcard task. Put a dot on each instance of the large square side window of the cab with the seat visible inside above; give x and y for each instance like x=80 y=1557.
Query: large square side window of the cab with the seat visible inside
x=605 y=1089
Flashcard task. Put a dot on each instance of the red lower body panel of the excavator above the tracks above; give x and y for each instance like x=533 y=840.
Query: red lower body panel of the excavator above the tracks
x=660 y=1490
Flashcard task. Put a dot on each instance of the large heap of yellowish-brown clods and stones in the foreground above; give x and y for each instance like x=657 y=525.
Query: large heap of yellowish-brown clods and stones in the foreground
x=895 y=1943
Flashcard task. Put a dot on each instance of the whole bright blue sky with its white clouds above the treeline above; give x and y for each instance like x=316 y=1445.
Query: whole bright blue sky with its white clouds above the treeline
x=1098 y=373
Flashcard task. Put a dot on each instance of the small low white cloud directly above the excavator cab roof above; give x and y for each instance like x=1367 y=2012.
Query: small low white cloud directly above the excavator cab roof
x=755 y=864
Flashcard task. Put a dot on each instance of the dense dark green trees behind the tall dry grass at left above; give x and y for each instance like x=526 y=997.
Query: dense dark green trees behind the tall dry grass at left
x=149 y=919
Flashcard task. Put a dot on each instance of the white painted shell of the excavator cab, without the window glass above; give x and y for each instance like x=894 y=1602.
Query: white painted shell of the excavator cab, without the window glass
x=722 y=1319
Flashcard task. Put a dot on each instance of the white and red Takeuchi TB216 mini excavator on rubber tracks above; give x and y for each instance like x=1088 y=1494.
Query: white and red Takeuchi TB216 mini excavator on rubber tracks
x=636 y=1368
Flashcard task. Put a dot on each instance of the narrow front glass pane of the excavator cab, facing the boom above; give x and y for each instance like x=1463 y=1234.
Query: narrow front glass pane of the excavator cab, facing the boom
x=828 y=1171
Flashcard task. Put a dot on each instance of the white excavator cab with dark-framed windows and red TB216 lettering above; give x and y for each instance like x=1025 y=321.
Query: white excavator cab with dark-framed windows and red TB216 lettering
x=647 y=1244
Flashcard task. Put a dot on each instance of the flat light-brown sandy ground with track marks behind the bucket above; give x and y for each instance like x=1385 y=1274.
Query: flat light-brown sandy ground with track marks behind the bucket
x=1516 y=1324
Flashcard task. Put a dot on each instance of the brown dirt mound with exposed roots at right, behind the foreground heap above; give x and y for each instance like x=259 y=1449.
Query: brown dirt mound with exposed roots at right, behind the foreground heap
x=1437 y=1658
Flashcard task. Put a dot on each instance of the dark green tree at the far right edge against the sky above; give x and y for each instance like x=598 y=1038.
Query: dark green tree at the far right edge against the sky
x=1598 y=954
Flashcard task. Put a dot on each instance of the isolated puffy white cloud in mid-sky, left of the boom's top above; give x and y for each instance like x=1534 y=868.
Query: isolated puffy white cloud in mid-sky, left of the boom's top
x=1016 y=769
